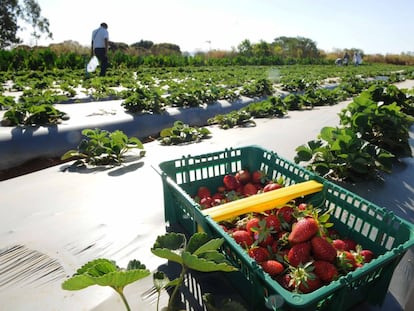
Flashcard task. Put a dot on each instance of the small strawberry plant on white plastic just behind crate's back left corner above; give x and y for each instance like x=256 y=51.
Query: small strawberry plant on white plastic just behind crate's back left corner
x=181 y=133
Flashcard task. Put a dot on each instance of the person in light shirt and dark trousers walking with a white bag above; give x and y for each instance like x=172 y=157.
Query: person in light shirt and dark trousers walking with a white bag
x=100 y=45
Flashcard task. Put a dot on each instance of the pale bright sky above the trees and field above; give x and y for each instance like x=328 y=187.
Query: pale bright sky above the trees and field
x=374 y=26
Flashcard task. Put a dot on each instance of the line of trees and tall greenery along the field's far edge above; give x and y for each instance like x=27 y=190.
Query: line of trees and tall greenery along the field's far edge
x=70 y=54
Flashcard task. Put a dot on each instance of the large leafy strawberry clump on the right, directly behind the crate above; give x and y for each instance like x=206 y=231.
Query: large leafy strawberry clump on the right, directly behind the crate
x=374 y=132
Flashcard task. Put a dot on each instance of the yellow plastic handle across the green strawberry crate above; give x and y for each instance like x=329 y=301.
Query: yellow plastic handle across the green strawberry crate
x=263 y=201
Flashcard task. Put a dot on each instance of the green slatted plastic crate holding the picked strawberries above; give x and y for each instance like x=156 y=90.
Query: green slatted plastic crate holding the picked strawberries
x=370 y=225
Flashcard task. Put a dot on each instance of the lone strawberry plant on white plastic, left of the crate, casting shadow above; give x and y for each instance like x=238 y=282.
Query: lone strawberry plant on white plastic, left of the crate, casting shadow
x=101 y=147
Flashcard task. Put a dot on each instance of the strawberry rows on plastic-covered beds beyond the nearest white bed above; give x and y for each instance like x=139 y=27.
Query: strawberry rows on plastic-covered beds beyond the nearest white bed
x=134 y=100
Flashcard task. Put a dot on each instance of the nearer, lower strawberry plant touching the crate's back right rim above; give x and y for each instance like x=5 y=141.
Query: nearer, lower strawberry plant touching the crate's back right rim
x=339 y=154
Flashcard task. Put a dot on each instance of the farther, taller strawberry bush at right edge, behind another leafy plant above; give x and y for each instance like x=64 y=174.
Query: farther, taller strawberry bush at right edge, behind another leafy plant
x=376 y=115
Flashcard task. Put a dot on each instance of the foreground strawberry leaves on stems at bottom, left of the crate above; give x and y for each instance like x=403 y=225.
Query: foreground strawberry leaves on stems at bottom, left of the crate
x=199 y=253
